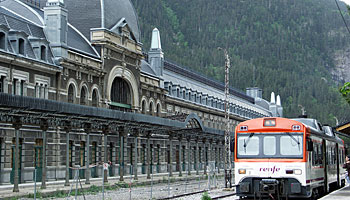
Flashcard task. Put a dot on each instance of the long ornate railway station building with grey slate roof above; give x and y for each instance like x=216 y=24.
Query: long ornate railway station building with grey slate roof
x=77 y=89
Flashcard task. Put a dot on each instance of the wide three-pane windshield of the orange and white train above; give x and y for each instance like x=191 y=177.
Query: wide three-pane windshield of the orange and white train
x=270 y=145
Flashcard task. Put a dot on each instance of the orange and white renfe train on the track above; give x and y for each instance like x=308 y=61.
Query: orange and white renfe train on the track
x=280 y=158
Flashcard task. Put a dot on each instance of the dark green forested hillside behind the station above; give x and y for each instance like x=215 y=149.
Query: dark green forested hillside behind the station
x=278 y=45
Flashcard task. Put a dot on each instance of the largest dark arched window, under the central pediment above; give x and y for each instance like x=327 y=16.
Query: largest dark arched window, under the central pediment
x=120 y=95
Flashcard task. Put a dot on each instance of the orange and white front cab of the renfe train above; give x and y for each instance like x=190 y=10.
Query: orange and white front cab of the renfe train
x=270 y=162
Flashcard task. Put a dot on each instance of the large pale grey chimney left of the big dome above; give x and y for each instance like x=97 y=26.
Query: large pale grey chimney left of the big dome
x=56 y=26
